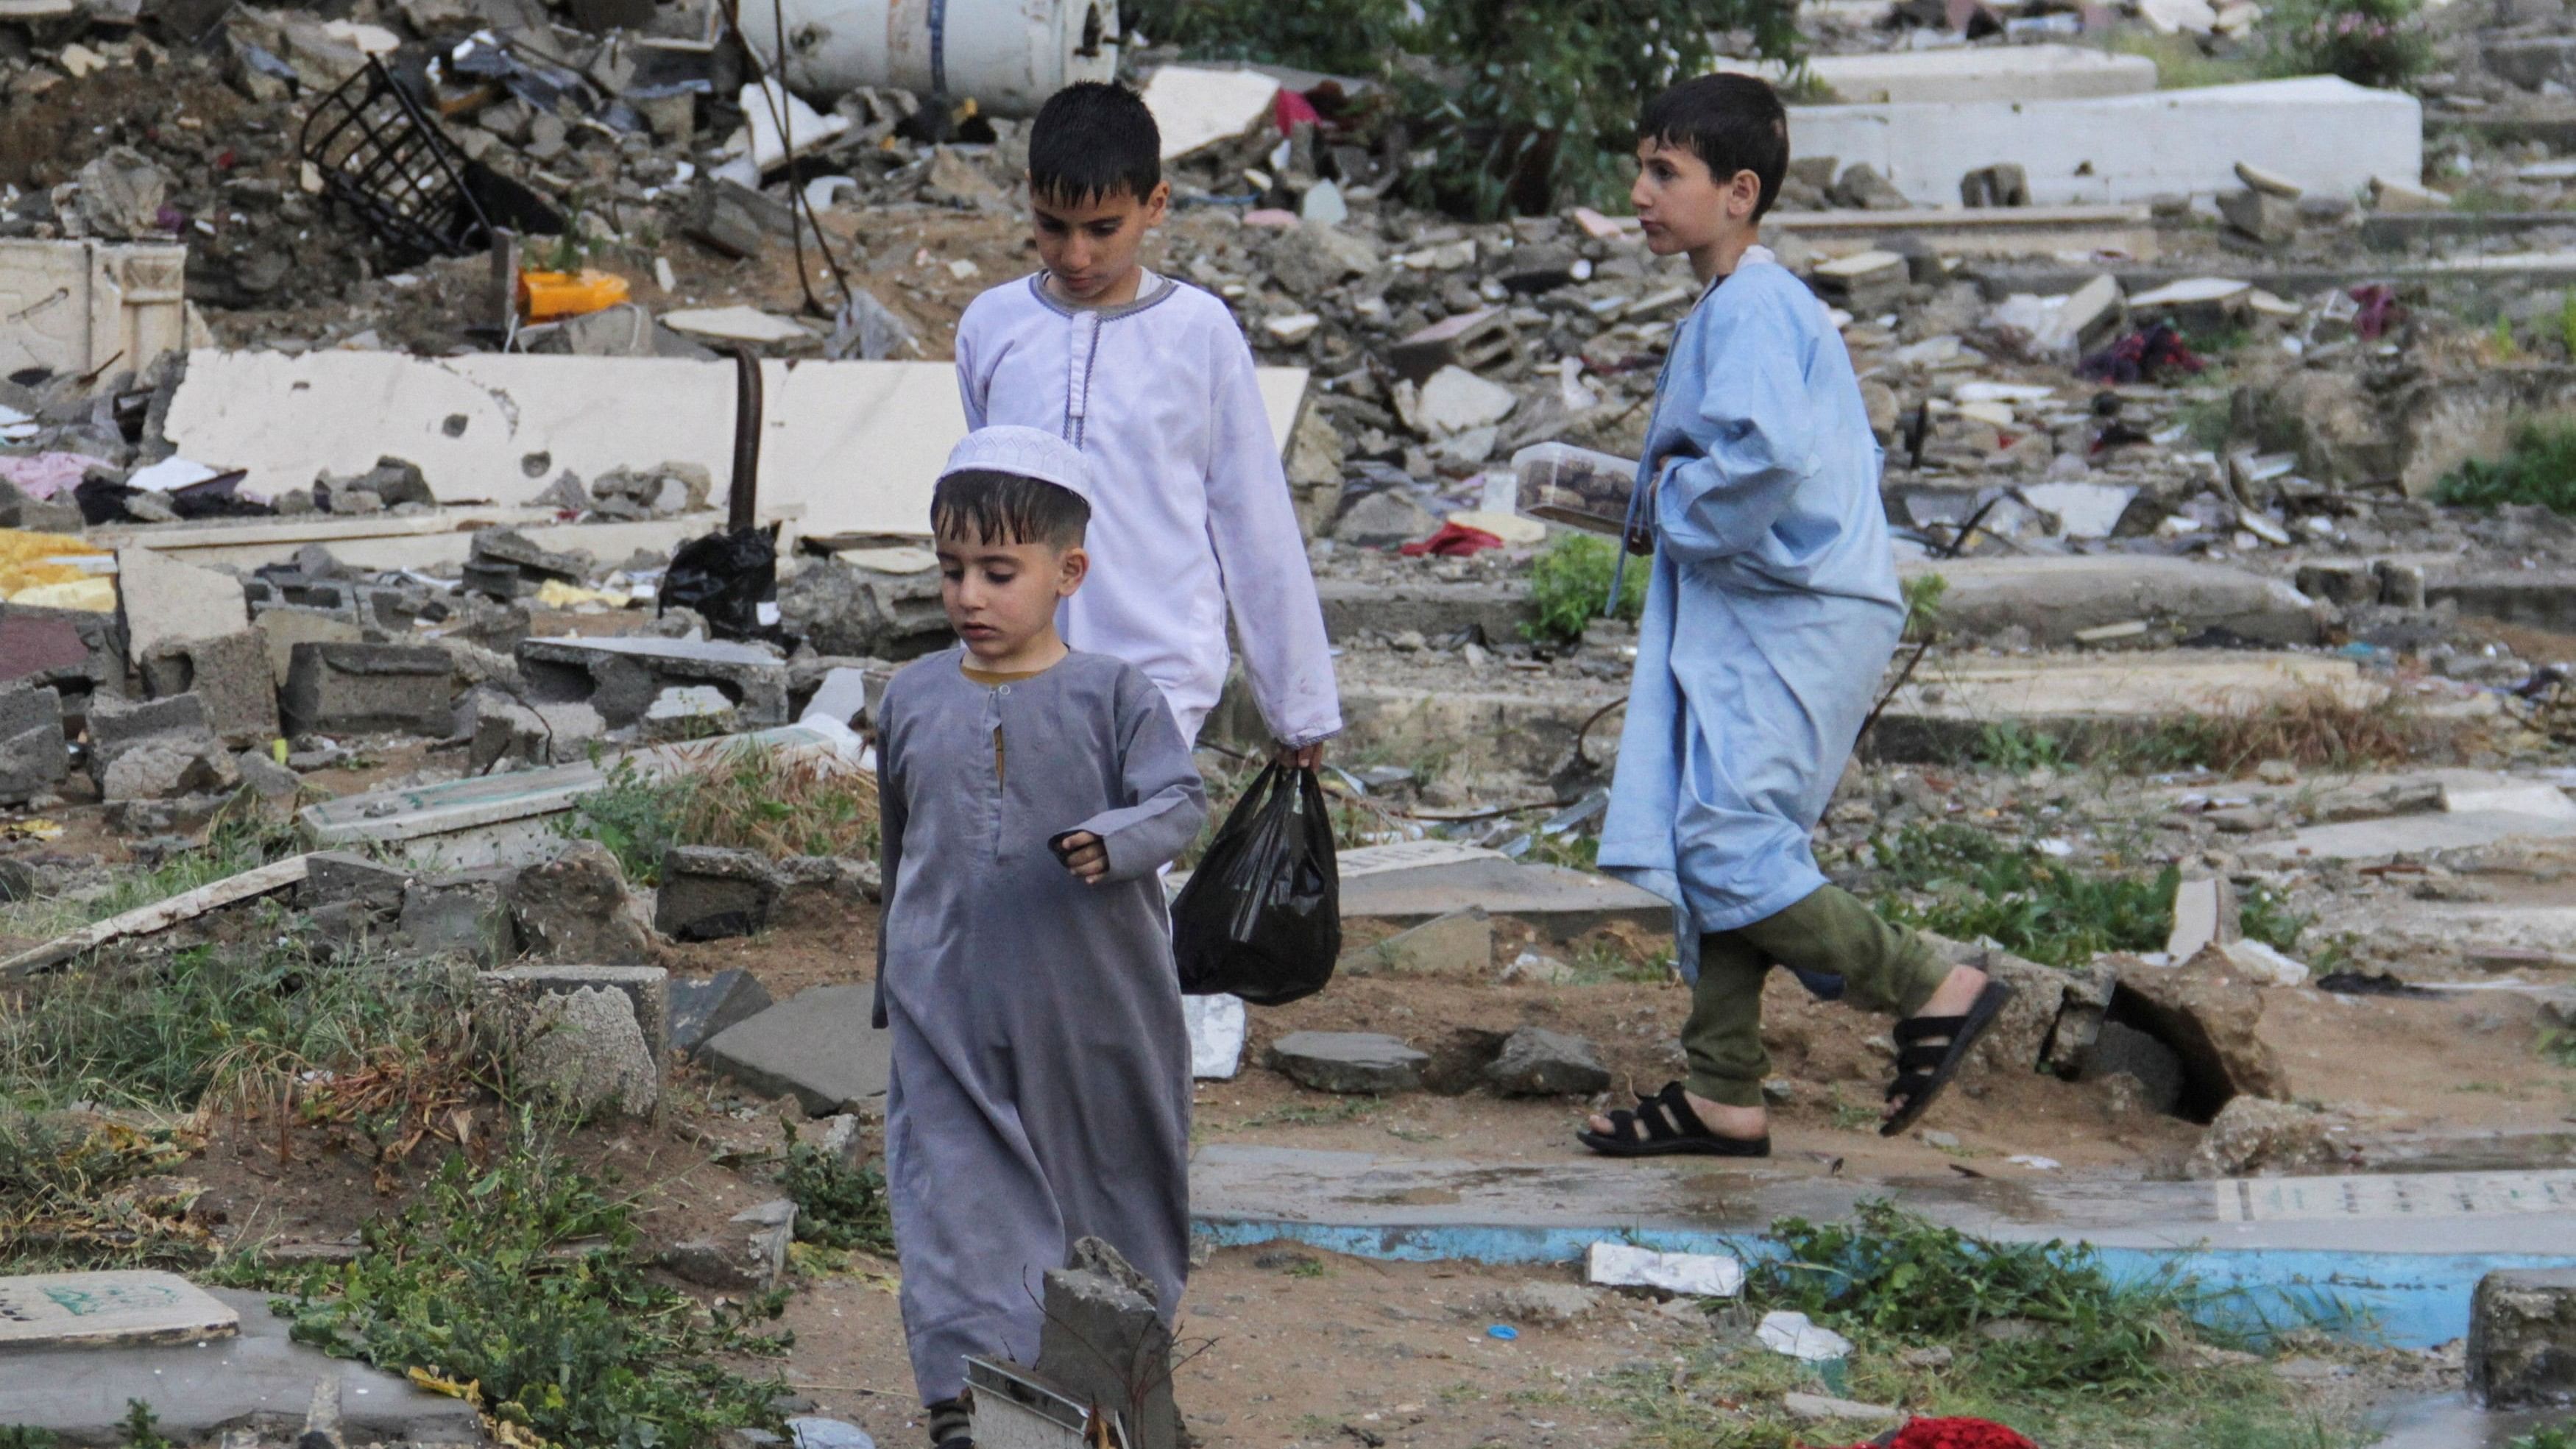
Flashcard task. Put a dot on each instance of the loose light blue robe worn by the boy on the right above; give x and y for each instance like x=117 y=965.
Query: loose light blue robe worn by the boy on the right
x=1771 y=614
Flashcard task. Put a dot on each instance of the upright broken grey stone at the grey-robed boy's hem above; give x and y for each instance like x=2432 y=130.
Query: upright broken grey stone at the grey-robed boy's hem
x=1106 y=1345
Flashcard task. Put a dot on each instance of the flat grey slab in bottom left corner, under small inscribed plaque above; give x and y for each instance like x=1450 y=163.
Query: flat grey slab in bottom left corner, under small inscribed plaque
x=200 y=1389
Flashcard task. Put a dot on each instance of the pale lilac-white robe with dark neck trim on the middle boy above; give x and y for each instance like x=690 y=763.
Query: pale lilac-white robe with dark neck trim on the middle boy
x=1194 y=508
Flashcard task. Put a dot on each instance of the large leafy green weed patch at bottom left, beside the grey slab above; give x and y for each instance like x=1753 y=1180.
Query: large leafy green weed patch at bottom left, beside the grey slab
x=524 y=1280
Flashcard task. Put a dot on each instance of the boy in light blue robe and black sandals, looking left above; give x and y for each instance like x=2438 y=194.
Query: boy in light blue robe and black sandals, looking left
x=1771 y=616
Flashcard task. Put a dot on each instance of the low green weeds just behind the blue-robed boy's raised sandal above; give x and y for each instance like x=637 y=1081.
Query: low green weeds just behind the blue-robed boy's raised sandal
x=1964 y=884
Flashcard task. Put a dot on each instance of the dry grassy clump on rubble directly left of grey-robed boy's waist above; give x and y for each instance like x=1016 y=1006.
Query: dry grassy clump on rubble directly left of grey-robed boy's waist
x=743 y=797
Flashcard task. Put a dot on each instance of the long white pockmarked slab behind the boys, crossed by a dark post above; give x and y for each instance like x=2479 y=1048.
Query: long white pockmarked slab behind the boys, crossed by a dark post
x=527 y=418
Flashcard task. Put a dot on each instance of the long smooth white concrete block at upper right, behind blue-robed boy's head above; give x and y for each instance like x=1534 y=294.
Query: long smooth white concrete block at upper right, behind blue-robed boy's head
x=2129 y=148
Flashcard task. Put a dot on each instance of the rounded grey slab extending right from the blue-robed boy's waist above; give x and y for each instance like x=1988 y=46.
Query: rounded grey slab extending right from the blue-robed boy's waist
x=2060 y=596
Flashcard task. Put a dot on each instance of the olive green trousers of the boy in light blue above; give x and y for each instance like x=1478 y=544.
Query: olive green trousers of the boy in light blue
x=1884 y=969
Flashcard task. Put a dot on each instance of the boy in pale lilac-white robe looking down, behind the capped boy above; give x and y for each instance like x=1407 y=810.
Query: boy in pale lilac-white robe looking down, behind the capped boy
x=1153 y=380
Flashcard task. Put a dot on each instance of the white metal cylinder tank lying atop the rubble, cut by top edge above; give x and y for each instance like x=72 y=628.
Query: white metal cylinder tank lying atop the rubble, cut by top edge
x=1009 y=55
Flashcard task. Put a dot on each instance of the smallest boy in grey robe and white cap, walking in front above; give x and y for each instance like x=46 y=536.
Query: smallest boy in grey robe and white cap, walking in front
x=1042 y=1069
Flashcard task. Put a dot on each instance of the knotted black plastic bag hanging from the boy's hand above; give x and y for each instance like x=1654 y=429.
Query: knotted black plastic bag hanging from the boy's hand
x=1264 y=912
